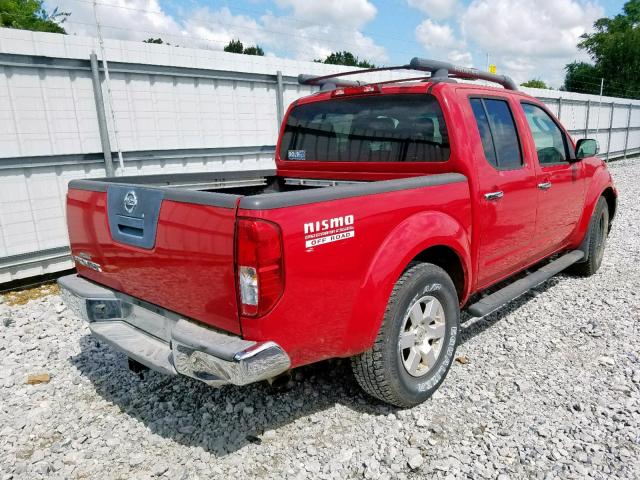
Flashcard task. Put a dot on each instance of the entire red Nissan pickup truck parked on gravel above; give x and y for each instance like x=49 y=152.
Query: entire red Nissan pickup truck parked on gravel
x=394 y=206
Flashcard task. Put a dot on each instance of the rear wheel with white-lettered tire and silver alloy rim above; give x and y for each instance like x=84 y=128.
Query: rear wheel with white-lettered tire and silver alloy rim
x=416 y=342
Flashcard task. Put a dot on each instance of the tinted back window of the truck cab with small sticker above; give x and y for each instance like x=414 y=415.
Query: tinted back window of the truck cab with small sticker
x=385 y=128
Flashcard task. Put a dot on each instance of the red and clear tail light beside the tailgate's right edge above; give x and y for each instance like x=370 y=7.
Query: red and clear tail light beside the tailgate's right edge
x=260 y=266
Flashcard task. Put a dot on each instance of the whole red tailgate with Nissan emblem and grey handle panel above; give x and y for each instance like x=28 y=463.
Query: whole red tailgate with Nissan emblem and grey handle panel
x=170 y=247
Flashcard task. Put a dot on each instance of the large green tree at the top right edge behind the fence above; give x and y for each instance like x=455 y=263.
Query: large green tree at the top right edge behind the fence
x=614 y=48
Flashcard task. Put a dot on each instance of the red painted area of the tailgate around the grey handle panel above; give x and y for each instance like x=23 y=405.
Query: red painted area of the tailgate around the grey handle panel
x=190 y=270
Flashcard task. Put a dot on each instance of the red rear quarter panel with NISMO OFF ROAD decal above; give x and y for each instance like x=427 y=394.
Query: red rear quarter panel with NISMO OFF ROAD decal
x=335 y=294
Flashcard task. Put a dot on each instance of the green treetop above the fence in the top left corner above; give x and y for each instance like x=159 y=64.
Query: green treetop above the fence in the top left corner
x=31 y=15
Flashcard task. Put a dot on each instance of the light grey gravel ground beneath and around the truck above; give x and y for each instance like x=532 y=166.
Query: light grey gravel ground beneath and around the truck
x=548 y=387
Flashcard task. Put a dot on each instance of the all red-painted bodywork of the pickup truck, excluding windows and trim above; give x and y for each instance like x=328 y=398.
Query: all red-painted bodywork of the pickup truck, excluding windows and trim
x=335 y=294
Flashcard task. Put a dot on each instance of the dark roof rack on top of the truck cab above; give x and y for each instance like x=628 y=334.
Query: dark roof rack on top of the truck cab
x=439 y=72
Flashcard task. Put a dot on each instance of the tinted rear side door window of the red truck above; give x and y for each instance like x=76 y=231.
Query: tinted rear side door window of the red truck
x=498 y=132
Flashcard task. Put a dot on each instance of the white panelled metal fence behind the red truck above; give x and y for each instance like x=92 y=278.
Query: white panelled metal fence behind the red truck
x=176 y=109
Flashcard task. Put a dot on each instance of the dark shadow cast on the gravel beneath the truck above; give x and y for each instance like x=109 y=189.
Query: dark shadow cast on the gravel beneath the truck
x=222 y=421
